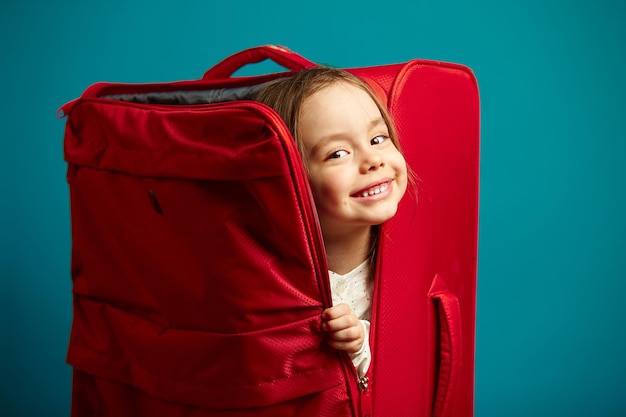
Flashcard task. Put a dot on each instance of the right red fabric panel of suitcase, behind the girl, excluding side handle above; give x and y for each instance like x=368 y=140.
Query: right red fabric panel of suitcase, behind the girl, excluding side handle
x=436 y=109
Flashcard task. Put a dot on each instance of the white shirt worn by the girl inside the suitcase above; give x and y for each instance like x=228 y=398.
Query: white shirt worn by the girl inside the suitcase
x=355 y=290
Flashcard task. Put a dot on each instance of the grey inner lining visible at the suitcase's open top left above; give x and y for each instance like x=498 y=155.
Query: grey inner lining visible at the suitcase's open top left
x=190 y=96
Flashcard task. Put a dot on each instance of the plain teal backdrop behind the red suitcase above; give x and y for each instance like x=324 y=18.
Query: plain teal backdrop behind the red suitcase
x=551 y=310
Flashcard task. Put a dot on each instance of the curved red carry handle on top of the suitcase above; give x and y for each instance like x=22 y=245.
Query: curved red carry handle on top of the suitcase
x=279 y=54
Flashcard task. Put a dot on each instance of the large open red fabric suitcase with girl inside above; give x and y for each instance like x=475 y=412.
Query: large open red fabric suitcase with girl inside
x=198 y=270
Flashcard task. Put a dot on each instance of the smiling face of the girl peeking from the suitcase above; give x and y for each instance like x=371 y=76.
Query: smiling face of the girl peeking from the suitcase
x=357 y=175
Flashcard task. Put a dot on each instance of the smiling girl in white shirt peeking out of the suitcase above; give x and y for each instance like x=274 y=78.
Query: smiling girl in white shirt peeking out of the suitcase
x=357 y=175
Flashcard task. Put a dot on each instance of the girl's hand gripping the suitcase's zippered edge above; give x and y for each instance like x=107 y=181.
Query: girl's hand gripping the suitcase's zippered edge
x=345 y=331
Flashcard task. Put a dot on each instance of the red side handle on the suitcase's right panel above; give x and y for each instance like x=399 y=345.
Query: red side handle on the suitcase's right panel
x=449 y=312
